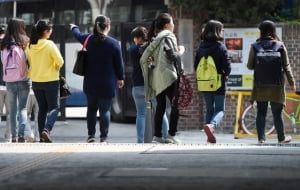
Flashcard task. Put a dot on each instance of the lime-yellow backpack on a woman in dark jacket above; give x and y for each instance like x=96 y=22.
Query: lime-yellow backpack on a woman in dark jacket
x=208 y=78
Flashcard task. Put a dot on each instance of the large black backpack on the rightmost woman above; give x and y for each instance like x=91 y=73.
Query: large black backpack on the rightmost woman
x=268 y=70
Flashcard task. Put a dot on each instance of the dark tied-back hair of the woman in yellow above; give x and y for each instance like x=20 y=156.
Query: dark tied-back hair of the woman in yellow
x=38 y=30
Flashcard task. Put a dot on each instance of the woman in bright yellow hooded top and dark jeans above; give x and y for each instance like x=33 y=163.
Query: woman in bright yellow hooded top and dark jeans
x=45 y=62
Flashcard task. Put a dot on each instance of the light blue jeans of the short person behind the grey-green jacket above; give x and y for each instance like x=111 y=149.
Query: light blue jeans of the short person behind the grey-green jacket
x=138 y=94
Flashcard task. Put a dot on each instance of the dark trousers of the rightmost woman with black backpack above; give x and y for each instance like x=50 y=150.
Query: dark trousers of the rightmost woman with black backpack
x=262 y=108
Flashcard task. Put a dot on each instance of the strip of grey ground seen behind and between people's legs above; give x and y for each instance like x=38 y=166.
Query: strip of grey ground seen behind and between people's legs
x=75 y=131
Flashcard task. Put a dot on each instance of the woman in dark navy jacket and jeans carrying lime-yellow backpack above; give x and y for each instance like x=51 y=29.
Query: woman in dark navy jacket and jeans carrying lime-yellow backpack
x=211 y=44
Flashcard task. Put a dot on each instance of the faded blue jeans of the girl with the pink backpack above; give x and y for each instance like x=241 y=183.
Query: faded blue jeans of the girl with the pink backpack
x=17 y=93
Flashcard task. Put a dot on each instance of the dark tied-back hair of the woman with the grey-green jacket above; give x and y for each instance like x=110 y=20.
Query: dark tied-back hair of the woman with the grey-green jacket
x=158 y=24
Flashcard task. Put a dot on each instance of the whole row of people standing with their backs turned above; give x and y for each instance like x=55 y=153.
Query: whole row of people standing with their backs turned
x=155 y=77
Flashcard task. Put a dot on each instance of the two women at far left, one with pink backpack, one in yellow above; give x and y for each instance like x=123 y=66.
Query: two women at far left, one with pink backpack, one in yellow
x=38 y=62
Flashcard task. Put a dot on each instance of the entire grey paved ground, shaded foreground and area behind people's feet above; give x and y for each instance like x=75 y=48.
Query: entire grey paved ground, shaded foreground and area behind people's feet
x=70 y=163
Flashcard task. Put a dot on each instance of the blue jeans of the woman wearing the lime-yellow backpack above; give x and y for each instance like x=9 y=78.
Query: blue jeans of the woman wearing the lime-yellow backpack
x=215 y=107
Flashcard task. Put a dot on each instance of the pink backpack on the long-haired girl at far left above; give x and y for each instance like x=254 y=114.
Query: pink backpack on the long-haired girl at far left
x=15 y=67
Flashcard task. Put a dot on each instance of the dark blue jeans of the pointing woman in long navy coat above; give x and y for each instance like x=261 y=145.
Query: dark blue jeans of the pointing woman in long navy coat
x=103 y=105
